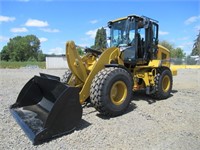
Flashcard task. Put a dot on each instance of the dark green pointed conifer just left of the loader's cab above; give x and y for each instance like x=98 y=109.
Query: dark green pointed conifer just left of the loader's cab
x=100 y=39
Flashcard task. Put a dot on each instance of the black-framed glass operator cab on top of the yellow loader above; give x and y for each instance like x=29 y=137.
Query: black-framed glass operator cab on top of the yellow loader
x=137 y=38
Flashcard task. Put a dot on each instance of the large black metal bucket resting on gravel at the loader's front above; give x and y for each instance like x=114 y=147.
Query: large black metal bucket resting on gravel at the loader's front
x=46 y=108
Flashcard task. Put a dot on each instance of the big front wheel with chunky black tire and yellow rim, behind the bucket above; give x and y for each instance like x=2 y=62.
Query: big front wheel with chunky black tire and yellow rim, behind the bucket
x=111 y=91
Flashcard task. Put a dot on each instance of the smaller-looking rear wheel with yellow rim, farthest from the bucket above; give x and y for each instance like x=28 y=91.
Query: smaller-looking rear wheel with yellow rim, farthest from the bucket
x=163 y=83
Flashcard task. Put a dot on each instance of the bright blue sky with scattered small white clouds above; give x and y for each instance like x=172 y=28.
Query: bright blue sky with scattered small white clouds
x=56 y=21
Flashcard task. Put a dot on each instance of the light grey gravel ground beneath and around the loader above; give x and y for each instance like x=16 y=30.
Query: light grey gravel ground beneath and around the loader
x=168 y=124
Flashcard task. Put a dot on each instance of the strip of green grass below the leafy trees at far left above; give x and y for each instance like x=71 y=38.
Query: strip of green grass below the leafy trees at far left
x=14 y=65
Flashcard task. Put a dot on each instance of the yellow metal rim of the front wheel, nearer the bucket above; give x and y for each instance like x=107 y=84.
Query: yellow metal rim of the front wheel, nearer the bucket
x=118 y=92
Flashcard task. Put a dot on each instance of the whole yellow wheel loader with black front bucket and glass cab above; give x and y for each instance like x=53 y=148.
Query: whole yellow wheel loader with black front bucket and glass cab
x=48 y=107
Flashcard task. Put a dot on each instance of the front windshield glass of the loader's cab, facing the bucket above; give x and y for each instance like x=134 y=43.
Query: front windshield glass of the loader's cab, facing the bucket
x=122 y=33
